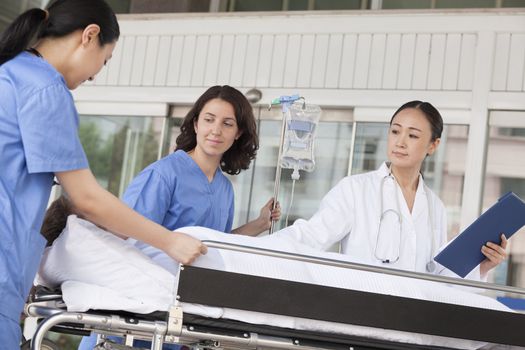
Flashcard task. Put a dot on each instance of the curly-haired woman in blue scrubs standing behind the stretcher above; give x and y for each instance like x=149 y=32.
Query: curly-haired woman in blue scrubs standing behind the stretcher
x=188 y=187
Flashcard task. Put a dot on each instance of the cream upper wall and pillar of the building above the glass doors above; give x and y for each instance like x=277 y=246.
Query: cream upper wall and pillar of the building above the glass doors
x=465 y=63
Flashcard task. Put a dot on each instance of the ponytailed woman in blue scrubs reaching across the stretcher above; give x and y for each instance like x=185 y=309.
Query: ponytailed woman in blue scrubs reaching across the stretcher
x=39 y=140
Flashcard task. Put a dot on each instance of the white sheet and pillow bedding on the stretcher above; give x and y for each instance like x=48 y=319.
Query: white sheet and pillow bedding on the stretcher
x=97 y=270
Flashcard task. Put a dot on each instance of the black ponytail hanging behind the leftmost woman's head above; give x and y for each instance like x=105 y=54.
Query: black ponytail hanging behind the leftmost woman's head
x=20 y=34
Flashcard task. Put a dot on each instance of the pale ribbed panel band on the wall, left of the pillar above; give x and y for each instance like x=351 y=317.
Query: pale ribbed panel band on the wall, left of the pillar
x=349 y=61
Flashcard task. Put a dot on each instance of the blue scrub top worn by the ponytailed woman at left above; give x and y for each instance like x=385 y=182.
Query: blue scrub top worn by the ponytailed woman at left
x=38 y=137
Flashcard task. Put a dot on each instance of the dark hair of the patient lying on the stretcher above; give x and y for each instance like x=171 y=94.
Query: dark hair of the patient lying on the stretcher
x=55 y=219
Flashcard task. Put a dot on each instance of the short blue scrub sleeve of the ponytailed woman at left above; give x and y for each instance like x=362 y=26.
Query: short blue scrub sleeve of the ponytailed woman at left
x=48 y=123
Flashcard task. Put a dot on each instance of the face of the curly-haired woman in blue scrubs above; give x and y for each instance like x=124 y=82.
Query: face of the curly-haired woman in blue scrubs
x=216 y=127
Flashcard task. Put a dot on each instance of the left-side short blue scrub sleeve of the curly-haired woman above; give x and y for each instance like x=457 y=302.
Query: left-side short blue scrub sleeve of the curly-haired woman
x=150 y=195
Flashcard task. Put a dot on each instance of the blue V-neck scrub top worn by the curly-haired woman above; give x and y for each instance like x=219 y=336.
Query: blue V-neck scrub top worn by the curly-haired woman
x=174 y=192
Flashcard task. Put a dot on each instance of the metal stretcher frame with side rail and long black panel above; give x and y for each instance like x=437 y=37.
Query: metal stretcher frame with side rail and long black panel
x=295 y=299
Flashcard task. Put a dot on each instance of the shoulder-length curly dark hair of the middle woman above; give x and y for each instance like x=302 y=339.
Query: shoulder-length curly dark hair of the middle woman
x=244 y=149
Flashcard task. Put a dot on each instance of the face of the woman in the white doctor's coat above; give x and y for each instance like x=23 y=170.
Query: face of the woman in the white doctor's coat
x=409 y=139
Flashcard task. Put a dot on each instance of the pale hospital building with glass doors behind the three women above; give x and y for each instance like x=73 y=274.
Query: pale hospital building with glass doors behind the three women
x=357 y=59
